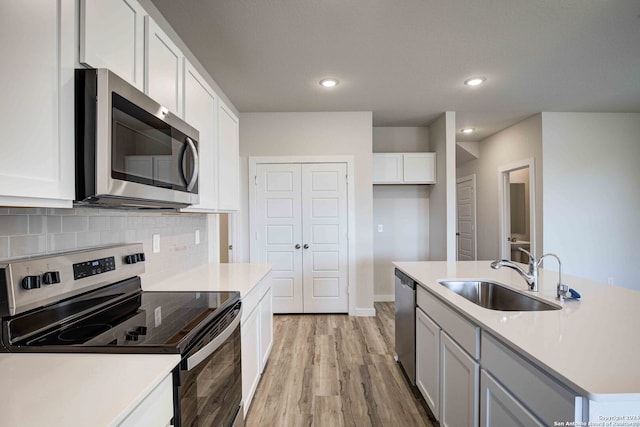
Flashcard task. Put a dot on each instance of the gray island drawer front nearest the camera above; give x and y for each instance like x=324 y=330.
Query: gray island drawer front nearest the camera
x=544 y=396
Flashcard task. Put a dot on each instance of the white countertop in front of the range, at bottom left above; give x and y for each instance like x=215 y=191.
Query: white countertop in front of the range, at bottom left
x=81 y=390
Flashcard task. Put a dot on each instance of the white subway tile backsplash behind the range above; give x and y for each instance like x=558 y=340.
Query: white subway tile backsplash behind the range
x=37 y=231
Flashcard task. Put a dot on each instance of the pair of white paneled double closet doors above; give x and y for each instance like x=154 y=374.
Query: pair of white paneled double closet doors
x=301 y=229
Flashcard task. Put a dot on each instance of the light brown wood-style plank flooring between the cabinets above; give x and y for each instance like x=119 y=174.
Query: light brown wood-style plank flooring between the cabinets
x=335 y=370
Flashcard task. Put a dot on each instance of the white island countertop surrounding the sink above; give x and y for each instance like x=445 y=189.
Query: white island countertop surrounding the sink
x=592 y=345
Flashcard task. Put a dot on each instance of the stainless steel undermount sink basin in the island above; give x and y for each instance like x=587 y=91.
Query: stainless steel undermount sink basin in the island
x=495 y=296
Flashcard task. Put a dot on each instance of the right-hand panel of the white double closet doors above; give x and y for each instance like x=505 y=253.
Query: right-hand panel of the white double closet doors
x=324 y=237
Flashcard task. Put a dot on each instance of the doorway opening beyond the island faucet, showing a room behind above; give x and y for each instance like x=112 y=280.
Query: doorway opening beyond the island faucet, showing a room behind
x=517 y=195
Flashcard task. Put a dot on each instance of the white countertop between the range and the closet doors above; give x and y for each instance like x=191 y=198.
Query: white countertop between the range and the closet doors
x=240 y=277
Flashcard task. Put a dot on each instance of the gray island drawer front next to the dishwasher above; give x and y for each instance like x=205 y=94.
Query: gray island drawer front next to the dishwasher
x=465 y=333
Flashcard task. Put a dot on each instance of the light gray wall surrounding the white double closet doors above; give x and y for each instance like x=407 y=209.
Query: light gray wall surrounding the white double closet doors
x=320 y=134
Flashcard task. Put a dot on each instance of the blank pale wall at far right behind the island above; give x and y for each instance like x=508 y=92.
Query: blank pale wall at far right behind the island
x=591 y=197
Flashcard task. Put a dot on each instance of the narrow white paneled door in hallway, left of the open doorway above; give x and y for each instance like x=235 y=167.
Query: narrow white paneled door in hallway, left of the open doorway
x=466 y=198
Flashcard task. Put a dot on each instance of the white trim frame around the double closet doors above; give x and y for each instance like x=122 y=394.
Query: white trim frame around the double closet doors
x=351 y=223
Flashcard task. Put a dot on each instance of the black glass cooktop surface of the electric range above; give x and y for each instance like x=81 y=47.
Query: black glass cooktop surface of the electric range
x=145 y=321
